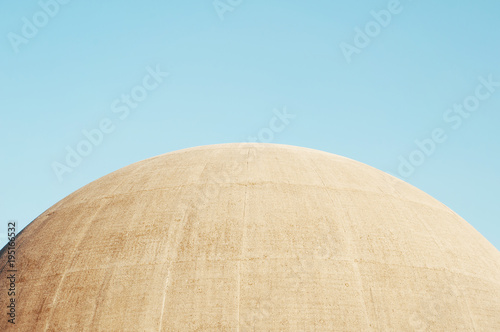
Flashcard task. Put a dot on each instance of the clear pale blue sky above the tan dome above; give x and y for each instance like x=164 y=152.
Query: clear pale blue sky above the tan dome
x=230 y=71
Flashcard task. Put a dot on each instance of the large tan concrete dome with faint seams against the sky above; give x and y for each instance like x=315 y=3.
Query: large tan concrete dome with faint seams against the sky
x=237 y=237
